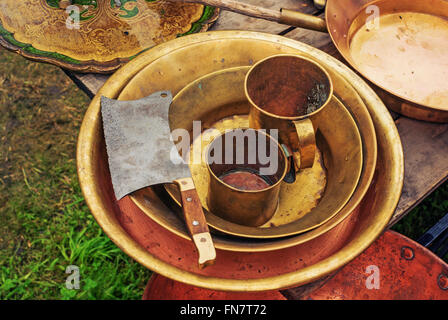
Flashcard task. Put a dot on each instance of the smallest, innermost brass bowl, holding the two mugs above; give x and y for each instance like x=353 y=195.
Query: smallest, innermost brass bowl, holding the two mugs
x=218 y=101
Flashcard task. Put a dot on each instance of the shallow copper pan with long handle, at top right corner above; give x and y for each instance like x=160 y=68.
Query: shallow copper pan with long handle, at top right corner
x=398 y=45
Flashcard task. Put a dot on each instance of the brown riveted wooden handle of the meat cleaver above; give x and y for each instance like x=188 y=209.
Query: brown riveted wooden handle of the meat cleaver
x=196 y=223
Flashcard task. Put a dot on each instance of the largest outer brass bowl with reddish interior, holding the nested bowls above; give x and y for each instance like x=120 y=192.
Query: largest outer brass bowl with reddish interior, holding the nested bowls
x=175 y=64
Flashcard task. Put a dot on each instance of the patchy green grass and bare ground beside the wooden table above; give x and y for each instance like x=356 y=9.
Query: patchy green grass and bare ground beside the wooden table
x=45 y=225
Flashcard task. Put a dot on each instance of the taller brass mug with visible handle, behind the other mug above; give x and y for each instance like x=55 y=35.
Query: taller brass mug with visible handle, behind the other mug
x=285 y=91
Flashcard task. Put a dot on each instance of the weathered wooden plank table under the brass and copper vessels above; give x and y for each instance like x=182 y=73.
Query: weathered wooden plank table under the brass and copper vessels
x=425 y=144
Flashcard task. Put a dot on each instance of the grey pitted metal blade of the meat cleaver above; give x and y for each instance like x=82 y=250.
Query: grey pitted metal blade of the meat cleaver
x=139 y=145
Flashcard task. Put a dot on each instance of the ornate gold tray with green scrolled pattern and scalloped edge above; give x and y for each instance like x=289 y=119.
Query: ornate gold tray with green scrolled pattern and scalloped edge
x=96 y=35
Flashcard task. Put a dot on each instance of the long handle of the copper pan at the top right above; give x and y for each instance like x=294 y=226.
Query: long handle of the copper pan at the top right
x=284 y=16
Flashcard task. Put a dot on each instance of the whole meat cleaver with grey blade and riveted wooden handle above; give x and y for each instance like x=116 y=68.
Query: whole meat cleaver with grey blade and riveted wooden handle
x=142 y=153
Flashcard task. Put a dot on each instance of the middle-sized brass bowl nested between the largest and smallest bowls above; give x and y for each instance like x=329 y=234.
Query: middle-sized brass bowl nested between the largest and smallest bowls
x=159 y=73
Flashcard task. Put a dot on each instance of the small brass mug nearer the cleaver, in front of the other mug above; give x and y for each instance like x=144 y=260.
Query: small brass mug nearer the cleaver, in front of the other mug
x=244 y=185
